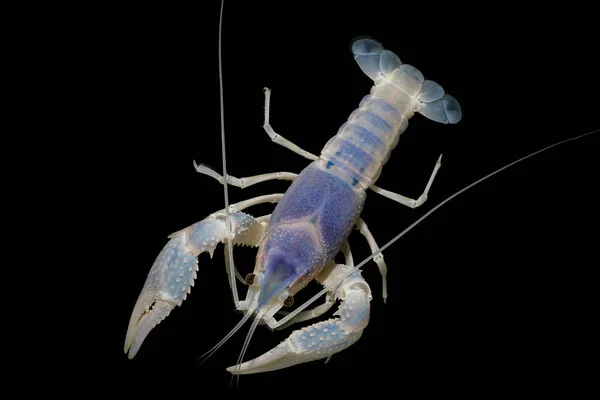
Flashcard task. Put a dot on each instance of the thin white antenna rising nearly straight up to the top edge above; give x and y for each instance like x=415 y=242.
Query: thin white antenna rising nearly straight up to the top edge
x=224 y=157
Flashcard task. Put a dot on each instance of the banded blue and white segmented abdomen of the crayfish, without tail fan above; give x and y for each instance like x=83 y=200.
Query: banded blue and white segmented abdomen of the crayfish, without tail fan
x=363 y=144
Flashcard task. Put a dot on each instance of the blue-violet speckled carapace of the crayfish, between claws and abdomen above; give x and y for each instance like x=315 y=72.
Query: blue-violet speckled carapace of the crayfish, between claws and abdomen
x=306 y=230
